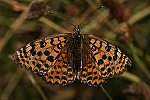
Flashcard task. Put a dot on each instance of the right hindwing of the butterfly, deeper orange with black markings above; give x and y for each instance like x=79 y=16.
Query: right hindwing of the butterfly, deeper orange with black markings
x=89 y=73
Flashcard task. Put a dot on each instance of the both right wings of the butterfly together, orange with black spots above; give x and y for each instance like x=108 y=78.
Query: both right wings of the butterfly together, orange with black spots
x=101 y=61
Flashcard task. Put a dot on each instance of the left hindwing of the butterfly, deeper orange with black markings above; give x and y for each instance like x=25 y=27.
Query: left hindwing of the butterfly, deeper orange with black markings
x=62 y=72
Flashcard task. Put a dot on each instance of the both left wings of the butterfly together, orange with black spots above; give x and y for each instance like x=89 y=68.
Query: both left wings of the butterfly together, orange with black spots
x=48 y=58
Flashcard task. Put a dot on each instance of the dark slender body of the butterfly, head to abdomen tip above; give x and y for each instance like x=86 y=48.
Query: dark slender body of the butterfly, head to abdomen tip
x=76 y=51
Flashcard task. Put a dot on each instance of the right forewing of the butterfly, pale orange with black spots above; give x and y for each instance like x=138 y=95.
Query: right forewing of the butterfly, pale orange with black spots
x=109 y=60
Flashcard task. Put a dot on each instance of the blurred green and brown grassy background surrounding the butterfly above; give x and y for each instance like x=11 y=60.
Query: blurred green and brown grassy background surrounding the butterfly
x=125 y=23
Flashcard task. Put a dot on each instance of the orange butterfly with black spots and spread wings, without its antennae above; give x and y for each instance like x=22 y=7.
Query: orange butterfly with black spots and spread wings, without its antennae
x=61 y=59
